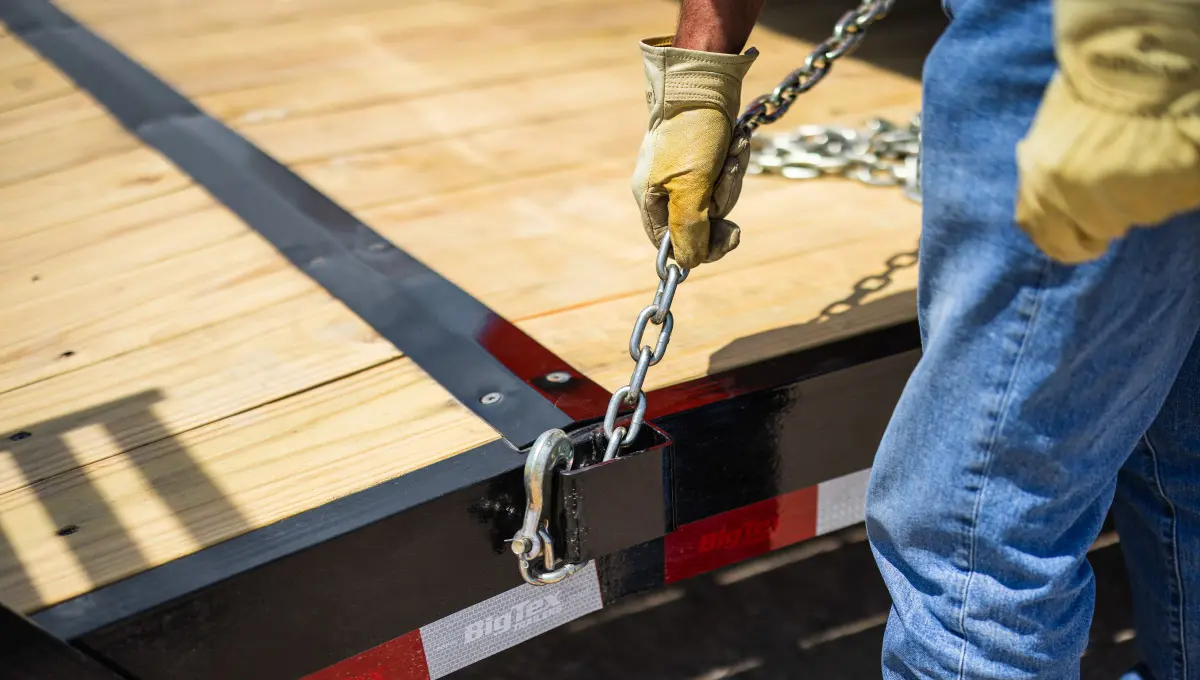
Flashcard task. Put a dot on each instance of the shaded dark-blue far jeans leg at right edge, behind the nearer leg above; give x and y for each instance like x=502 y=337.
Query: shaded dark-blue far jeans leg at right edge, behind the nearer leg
x=1157 y=513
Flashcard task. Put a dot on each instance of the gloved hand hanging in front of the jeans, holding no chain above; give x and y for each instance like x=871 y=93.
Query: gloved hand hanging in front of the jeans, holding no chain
x=1117 y=141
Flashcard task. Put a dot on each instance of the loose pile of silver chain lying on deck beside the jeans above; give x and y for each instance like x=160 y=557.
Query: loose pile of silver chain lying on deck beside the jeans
x=881 y=154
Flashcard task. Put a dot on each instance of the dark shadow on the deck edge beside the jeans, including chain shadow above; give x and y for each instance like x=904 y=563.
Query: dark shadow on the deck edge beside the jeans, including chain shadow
x=848 y=316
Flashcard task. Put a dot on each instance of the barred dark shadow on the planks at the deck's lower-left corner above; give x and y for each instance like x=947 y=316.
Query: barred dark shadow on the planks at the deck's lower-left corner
x=82 y=513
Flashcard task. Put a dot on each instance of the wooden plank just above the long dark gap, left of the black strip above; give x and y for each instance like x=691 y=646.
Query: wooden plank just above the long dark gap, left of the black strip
x=203 y=376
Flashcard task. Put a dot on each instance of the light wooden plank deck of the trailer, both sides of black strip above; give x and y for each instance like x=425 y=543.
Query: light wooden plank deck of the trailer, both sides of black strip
x=169 y=381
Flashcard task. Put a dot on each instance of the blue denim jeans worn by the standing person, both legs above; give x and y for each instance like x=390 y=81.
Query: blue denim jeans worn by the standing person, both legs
x=1046 y=395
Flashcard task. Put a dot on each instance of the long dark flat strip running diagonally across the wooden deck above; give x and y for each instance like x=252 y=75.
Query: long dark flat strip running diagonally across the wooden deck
x=427 y=317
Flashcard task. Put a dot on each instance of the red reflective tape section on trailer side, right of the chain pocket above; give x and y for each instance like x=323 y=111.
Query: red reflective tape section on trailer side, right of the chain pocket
x=740 y=534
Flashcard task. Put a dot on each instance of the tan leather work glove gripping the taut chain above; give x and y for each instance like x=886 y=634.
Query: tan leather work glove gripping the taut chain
x=691 y=167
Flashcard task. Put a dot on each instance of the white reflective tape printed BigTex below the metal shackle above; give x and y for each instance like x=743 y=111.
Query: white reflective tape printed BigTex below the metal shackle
x=511 y=618
